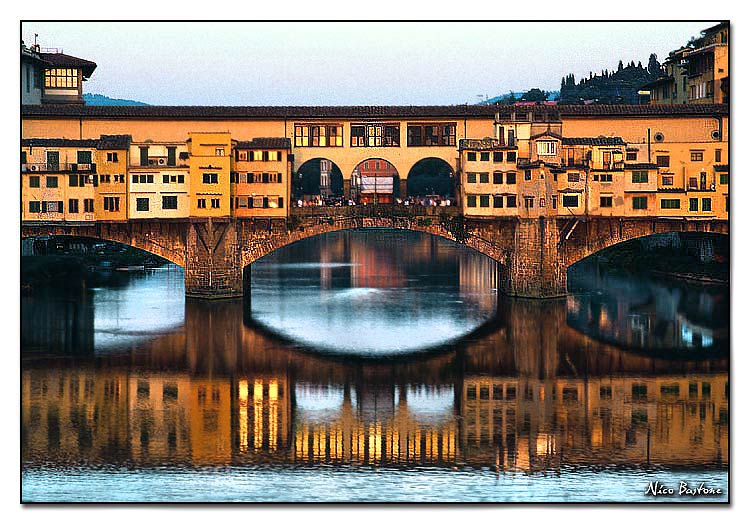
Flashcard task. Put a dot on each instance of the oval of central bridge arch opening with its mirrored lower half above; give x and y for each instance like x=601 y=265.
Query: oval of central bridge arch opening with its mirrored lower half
x=373 y=291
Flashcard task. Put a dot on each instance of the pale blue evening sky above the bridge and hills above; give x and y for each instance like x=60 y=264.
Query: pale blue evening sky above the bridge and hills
x=202 y=63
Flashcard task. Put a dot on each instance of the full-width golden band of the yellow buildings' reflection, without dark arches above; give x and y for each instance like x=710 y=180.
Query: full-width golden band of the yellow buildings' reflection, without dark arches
x=511 y=423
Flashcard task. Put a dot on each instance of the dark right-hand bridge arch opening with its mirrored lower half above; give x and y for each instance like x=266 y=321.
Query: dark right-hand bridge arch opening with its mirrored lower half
x=664 y=293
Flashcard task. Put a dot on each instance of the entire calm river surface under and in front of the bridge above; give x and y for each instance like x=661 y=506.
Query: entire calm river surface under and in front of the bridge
x=373 y=366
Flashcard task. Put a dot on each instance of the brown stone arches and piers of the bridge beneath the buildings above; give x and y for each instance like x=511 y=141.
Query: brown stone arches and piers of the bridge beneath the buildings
x=533 y=254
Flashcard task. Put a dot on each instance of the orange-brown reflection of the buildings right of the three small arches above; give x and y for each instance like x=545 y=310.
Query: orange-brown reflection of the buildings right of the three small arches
x=531 y=425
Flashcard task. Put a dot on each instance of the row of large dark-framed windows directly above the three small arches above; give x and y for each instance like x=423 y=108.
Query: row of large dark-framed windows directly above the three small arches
x=374 y=135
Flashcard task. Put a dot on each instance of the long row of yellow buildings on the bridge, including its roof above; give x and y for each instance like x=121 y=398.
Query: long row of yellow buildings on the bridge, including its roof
x=521 y=161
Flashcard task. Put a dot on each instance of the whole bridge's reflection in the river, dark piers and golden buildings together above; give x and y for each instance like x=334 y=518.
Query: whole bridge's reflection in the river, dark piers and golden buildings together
x=533 y=394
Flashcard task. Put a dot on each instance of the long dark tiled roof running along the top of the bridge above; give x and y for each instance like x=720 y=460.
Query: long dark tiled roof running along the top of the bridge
x=357 y=112
